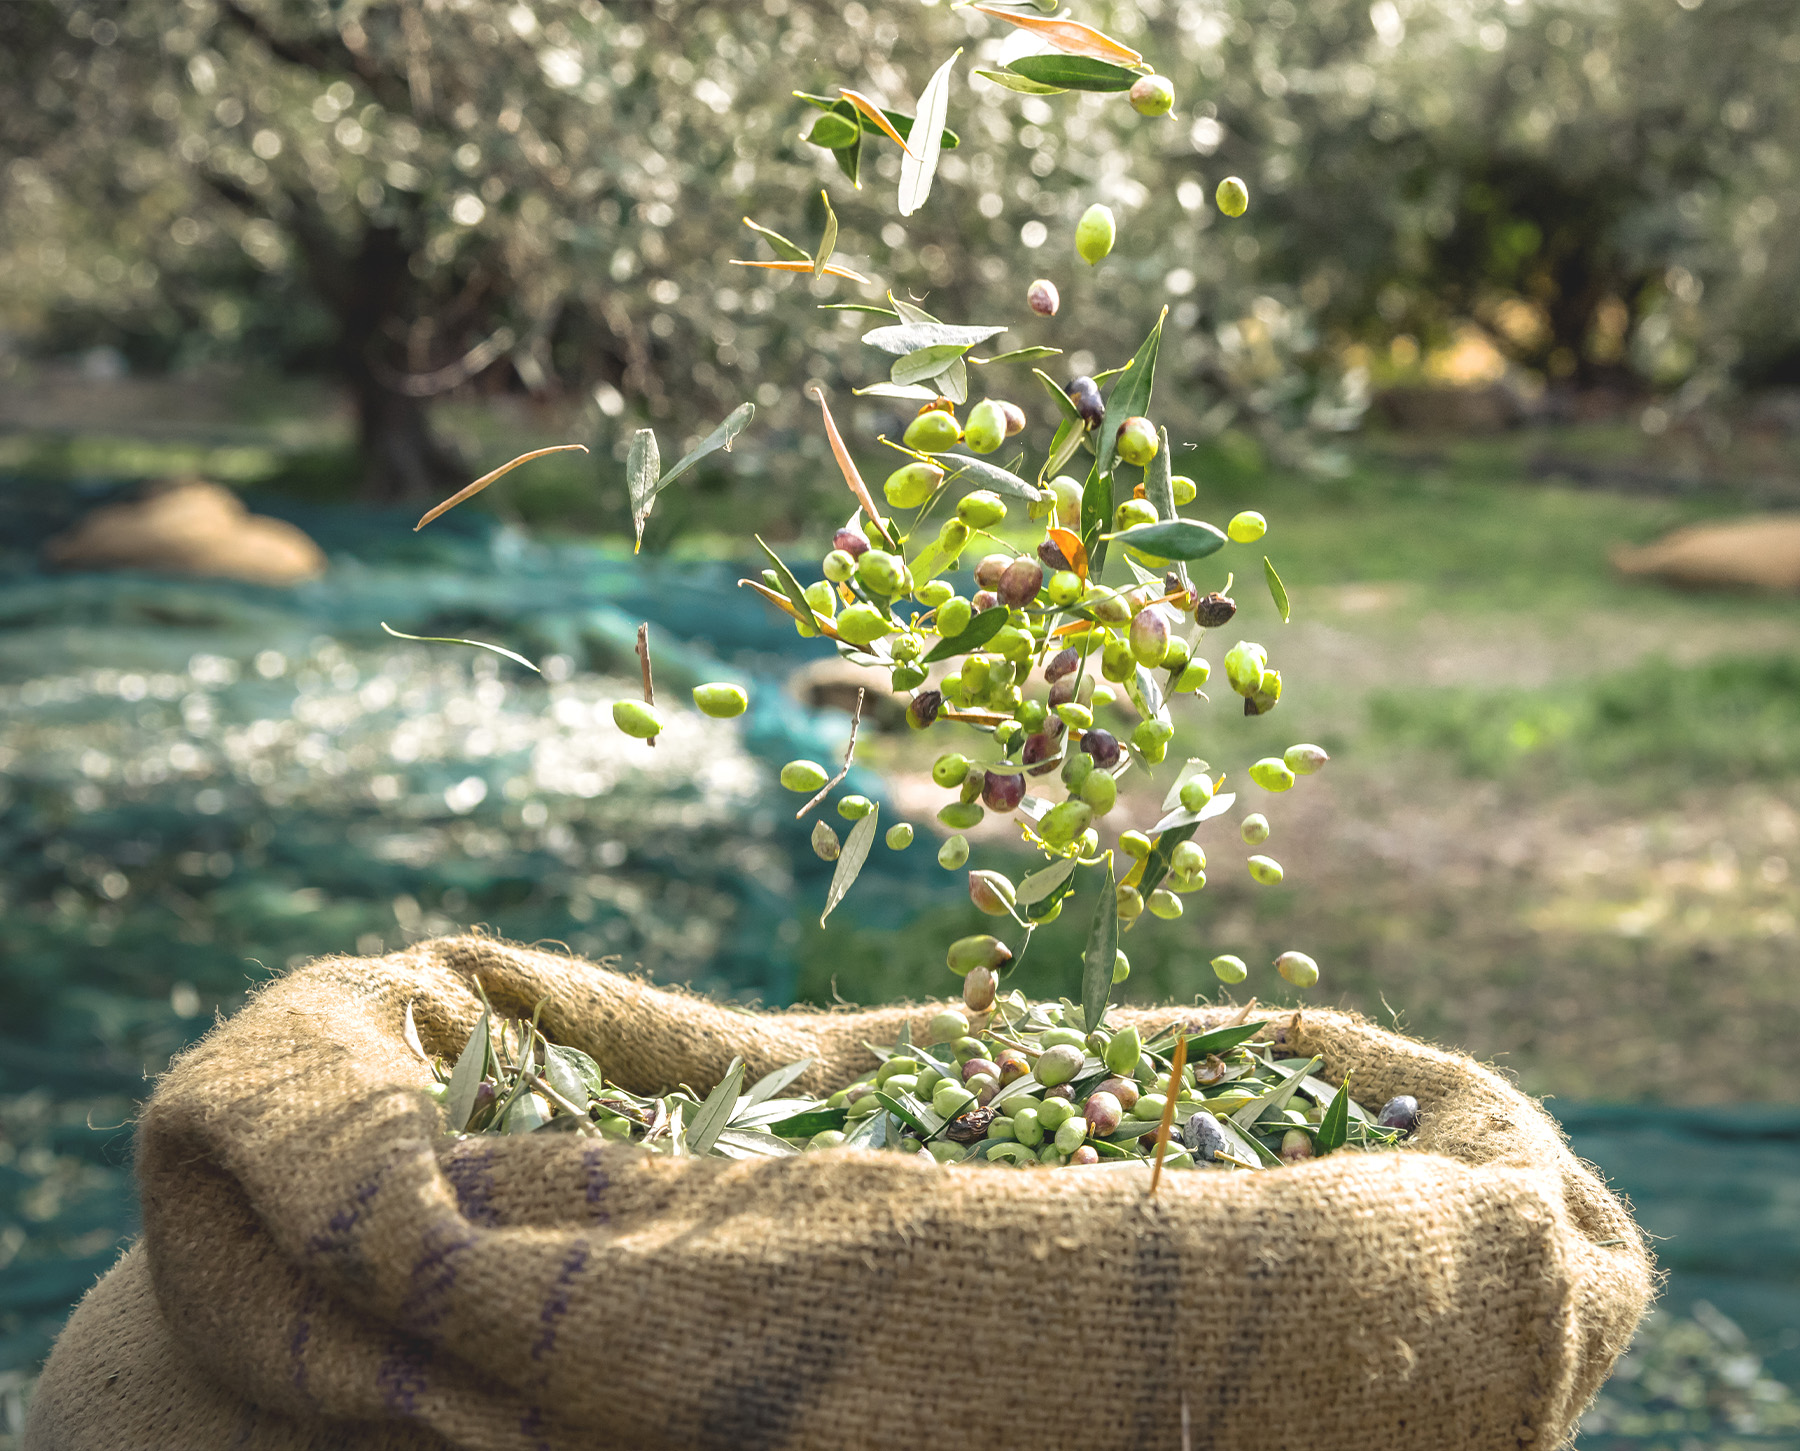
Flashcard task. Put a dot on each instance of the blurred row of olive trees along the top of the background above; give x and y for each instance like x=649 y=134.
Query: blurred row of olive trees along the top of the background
x=546 y=197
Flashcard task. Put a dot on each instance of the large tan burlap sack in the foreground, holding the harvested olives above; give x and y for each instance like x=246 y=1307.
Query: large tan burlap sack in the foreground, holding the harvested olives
x=323 y=1268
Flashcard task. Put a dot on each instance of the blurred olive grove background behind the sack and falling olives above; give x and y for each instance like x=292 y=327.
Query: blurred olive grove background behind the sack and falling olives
x=1515 y=296
